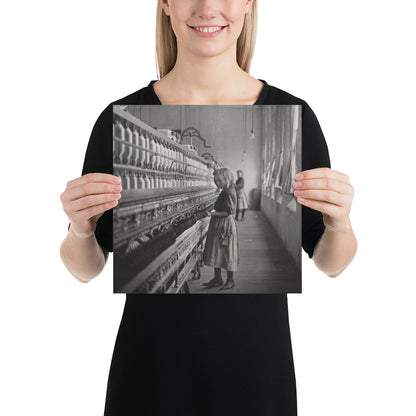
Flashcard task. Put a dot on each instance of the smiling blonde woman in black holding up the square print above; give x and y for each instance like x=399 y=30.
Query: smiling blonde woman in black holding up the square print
x=205 y=354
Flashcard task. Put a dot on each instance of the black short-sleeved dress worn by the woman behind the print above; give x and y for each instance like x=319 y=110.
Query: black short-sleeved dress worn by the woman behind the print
x=204 y=354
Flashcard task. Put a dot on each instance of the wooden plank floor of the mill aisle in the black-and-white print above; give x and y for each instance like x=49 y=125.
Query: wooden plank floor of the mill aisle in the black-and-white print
x=264 y=267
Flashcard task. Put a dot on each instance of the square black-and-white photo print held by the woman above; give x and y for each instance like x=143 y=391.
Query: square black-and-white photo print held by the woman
x=207 y=202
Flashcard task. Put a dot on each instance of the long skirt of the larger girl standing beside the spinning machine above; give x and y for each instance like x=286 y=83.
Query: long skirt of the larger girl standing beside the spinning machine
x=217 y=255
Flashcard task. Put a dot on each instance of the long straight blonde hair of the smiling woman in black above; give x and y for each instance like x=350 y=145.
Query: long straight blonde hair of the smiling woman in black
x=166 y=47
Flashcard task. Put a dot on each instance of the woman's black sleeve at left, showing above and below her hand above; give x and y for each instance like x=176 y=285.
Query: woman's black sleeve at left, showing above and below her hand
x=99 y=159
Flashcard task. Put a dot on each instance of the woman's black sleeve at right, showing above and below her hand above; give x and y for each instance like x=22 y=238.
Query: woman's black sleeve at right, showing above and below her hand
x=314 y=155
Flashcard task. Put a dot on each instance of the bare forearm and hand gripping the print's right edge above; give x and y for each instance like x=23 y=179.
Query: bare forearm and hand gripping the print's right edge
x=331 y=193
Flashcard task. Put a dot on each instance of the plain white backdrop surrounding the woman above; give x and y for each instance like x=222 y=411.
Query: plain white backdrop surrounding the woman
x=63 y=62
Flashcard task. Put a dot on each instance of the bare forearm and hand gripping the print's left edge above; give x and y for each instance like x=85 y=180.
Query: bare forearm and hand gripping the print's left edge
x=84 y=200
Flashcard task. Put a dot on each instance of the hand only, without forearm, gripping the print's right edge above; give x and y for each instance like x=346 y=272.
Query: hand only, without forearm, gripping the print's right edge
x=327 y=191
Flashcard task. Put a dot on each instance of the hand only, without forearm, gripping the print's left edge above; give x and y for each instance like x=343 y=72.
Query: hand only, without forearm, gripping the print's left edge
x=86 y=198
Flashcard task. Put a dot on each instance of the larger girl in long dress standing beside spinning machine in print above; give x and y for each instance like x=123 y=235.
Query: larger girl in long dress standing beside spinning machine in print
x=221 y=244
